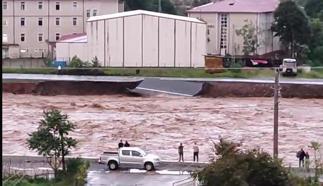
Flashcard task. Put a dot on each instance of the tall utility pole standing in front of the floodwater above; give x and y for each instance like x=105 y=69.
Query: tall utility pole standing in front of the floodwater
x=276 y=102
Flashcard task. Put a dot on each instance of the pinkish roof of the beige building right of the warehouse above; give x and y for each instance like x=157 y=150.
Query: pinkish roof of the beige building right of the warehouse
x=238 y=6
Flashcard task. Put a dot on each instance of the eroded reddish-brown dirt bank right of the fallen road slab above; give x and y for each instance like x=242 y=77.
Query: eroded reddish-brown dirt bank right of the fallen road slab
x=223 y=89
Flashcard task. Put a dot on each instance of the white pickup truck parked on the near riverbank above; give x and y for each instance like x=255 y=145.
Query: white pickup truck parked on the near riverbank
x=130 y=157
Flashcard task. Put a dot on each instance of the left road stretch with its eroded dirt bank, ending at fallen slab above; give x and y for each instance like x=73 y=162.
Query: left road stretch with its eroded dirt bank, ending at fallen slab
x=41 y=84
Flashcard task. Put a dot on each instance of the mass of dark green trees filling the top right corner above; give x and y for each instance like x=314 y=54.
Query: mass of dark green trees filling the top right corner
x=300 y=29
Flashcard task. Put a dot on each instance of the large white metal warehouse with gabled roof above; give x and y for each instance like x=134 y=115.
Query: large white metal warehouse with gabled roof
x=145 y=39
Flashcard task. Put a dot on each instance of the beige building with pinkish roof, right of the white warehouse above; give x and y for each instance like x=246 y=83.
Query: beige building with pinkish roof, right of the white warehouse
x=225 y=17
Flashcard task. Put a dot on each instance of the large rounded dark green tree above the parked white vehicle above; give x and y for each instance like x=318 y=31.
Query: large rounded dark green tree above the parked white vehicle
x=291 y=26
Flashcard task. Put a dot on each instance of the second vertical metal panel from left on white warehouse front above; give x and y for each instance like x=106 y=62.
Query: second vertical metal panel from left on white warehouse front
x=115 y=42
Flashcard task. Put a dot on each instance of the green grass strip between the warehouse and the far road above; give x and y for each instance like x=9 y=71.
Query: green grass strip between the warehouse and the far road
x=175 y=72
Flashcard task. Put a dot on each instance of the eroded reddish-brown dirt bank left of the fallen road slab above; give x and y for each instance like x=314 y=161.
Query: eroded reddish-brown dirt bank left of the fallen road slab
x=68 y=87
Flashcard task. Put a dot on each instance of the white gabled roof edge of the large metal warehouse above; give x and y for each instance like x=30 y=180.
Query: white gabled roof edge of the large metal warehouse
x=143 y=12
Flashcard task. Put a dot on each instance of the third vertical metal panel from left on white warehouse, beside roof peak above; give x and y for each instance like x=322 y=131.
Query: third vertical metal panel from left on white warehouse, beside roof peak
x=132 y=41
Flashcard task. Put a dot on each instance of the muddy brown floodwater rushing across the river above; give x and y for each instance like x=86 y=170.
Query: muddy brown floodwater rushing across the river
x=159 y=123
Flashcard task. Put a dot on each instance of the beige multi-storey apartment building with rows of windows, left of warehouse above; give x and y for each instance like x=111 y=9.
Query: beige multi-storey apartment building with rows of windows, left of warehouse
x=31 y=27
